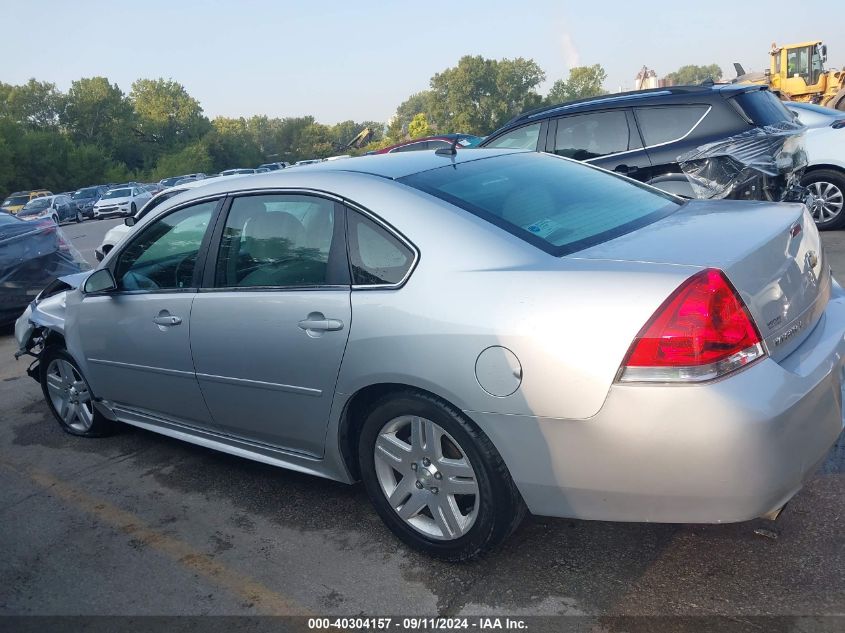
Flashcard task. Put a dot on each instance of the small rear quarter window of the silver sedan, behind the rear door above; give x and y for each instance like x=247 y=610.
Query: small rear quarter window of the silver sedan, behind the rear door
x=376 y=256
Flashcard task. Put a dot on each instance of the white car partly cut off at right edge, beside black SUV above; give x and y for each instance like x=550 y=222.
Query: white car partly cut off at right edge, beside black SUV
x=825 y=174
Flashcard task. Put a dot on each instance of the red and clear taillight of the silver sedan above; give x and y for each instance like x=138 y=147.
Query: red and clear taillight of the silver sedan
x=701 y=332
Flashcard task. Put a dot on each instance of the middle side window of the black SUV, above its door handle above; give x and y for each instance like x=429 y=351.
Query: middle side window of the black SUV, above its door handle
x=587 y=136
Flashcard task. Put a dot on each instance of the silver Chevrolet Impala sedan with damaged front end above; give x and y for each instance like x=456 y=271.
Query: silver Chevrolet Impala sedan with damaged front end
x=473 y=336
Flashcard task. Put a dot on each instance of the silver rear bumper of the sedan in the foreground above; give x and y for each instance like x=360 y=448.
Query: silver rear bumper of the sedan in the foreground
x=727 y=451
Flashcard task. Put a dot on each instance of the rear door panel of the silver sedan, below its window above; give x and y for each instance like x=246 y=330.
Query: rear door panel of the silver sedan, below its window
x=264 y=376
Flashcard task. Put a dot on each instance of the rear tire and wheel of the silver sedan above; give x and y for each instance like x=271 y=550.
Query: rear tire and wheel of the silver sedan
x=435 y=479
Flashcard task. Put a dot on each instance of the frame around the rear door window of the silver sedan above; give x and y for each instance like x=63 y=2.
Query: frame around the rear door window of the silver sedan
x=208 y=281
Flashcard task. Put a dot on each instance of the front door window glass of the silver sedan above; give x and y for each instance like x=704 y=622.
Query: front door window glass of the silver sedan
x=164 y=255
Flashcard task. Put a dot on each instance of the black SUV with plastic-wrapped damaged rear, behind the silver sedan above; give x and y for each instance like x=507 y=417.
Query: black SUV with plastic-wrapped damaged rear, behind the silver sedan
x=708 y=141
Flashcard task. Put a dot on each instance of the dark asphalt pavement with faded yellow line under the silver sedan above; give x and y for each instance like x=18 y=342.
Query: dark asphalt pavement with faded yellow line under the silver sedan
x=141 y=524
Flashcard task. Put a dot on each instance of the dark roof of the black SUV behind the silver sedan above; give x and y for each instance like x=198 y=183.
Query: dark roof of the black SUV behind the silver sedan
x=652 y=96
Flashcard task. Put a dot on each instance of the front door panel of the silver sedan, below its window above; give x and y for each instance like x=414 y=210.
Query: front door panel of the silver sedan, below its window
x=137 y=363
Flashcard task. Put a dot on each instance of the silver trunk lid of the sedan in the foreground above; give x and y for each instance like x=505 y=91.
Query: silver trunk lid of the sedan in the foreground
x=770 y=252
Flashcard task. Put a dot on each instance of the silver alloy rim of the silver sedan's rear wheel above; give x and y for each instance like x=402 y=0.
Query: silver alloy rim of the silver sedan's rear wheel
x=426 y=477
